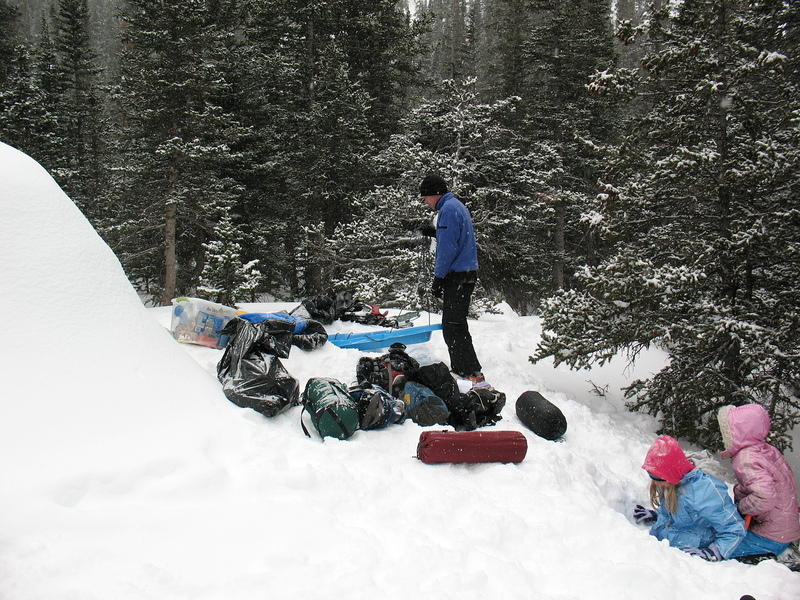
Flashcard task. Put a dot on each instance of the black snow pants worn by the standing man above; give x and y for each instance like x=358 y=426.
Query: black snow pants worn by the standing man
x=458 y=288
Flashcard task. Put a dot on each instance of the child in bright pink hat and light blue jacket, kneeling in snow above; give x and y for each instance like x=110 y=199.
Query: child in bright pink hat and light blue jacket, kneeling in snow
x=692 y=509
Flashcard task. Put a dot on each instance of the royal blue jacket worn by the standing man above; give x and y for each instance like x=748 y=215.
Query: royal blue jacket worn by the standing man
x=456 y=249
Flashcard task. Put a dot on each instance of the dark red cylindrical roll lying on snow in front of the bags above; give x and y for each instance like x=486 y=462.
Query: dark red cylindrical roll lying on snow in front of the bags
x=471 y=446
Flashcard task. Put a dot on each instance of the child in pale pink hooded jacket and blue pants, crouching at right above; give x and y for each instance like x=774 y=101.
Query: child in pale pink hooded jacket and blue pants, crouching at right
x=766 y=488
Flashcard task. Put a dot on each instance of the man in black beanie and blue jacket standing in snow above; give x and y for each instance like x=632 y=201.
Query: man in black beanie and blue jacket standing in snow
x=455 y=273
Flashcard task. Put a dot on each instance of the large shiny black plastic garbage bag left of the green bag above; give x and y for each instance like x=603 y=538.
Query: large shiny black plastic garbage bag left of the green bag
x=250 y=371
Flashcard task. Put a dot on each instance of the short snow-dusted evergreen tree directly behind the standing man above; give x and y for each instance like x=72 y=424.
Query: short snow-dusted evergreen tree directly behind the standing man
x=461 y=138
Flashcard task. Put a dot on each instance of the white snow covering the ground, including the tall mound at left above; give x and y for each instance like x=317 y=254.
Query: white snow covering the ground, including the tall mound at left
x=126 y=474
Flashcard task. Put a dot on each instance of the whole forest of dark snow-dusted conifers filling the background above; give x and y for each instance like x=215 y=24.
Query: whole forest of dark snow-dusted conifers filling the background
x=631 y=166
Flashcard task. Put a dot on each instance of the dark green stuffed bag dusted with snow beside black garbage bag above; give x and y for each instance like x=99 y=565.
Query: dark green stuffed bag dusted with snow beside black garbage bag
x=333 y=412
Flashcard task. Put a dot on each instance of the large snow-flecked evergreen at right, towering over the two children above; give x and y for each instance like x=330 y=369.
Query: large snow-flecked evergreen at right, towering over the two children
x=700 y=203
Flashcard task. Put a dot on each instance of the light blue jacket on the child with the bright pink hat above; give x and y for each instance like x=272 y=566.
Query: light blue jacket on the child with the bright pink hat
x=706 y=515
